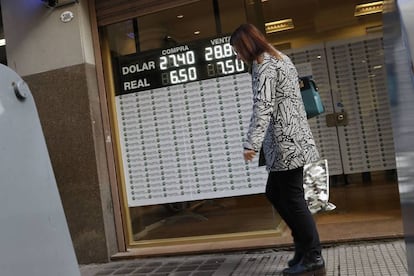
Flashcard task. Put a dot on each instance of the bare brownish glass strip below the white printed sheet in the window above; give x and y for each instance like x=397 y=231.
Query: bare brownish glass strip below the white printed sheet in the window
x=206 y=217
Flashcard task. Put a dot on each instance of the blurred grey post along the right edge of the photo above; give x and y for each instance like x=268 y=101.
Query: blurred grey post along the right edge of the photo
x=399 y=50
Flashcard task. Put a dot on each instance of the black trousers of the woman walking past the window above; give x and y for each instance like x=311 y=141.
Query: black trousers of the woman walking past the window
x=284 y=189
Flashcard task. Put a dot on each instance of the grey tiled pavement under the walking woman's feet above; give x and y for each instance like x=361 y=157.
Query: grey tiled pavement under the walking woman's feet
x=375 y=258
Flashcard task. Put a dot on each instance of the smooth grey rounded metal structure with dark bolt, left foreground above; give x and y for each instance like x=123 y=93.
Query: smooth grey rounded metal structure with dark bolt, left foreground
x=34 y=236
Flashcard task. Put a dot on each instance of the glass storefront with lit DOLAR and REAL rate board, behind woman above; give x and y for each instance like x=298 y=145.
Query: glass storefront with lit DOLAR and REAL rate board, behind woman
x=179 y=104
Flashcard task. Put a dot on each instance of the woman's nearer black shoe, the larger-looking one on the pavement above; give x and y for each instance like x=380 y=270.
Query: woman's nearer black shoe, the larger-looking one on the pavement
x=312 y=264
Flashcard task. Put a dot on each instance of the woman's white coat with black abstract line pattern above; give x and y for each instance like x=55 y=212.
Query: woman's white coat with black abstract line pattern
x=278 y=124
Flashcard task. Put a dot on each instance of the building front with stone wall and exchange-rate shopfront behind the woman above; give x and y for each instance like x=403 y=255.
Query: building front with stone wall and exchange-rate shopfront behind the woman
x=144 y=106
